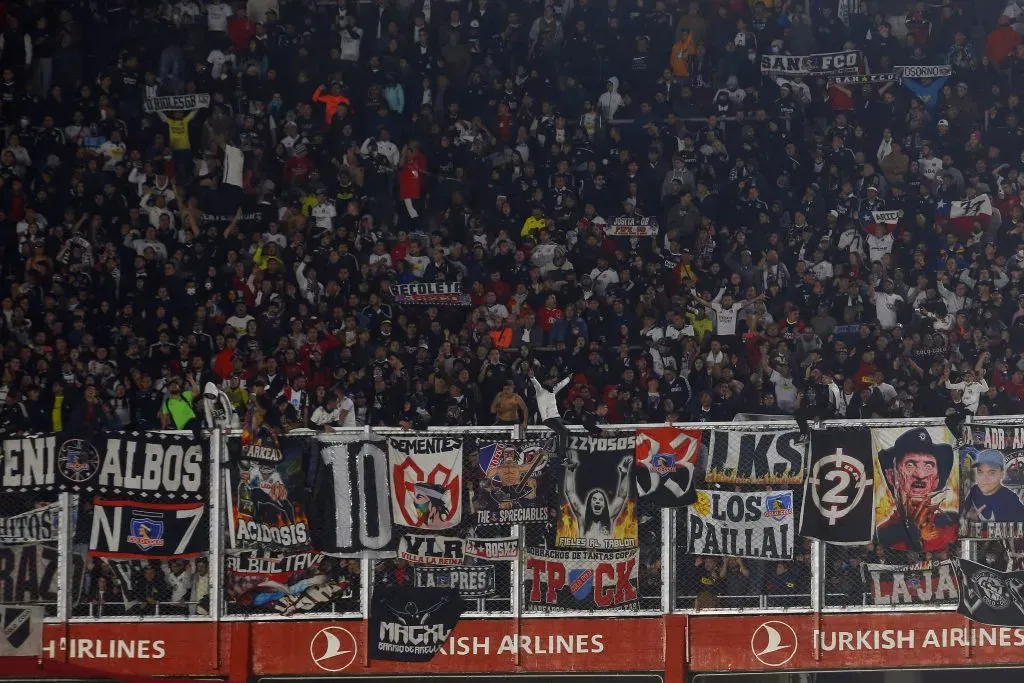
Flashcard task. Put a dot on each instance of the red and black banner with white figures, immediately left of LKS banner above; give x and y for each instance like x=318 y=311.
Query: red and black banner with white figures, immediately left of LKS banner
x=667 y=459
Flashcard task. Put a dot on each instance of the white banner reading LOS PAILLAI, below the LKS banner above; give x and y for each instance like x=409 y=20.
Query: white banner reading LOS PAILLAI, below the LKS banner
x=759 y=526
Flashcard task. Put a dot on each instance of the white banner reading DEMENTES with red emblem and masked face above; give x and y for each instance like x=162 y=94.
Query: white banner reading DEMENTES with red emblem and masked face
x=426 y=481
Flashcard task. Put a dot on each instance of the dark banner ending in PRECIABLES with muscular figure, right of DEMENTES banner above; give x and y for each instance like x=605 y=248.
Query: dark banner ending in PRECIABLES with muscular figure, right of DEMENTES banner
x=515 y=483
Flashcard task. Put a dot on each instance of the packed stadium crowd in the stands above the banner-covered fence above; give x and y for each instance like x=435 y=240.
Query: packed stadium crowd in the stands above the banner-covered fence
x=244 y=250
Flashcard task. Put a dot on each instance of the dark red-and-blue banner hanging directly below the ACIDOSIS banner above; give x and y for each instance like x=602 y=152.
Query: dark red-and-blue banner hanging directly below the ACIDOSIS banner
x=288 y=584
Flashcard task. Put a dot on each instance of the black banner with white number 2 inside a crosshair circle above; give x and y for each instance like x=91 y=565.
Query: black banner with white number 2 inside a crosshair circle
x=839 y=506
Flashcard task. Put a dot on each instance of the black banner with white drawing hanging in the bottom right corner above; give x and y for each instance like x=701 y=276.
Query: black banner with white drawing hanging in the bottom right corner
x=990 y=596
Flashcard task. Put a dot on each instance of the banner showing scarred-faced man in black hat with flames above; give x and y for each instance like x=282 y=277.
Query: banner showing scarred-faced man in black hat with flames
x=917 y=500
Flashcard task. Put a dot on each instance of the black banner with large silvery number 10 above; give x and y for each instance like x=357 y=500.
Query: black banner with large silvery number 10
x=353 y=501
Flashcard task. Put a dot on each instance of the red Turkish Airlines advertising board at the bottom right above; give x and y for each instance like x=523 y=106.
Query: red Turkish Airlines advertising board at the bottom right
x=889 y=641
